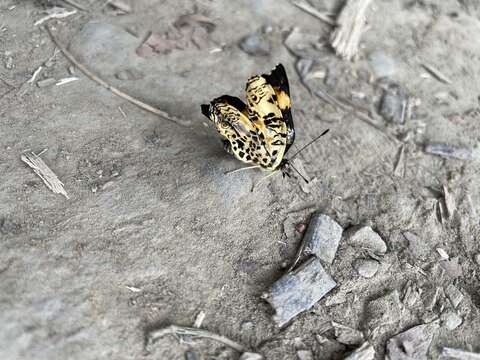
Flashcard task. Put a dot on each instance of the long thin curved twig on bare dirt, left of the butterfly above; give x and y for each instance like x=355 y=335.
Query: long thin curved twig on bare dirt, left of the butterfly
x=114 y=90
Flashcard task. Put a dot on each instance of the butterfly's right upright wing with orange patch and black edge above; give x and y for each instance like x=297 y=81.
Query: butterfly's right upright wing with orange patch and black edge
x=268 y=107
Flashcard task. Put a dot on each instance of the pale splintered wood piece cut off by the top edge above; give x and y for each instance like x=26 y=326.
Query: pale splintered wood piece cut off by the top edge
x=350 y=25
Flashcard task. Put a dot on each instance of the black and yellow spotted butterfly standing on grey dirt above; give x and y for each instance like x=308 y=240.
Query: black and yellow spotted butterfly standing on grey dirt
x=261 y=131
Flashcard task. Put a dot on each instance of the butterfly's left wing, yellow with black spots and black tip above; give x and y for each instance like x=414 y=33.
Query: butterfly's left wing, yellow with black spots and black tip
x=229 y=114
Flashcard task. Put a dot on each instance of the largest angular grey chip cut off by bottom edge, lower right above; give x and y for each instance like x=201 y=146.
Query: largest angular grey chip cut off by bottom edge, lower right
x=413 y=343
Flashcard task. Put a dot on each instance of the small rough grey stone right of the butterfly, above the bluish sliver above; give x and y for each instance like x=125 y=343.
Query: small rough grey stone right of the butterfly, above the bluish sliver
x=394 y=104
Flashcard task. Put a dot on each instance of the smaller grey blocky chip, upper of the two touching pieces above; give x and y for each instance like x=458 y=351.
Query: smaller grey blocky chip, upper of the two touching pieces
x=322 y=237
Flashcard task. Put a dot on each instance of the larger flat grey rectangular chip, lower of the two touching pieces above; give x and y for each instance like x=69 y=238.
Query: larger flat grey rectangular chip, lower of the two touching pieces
x=298 y=290
